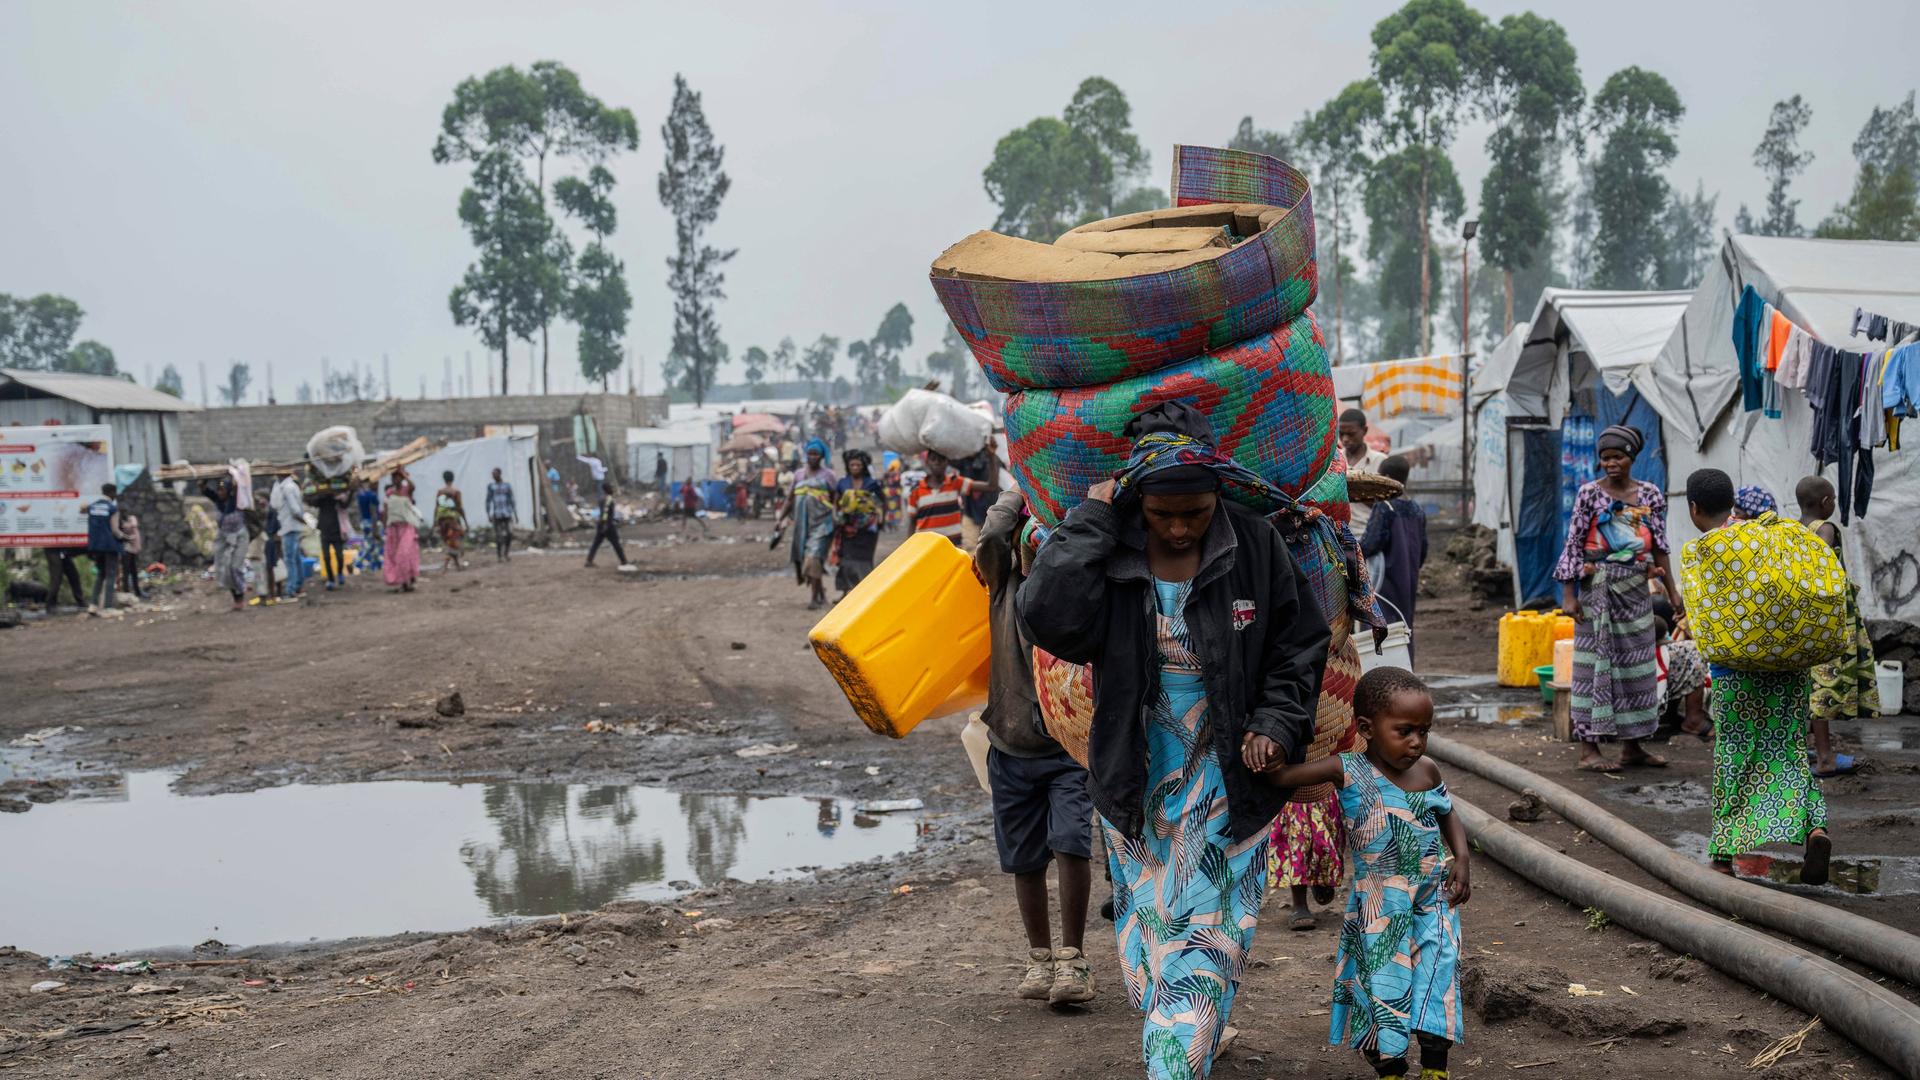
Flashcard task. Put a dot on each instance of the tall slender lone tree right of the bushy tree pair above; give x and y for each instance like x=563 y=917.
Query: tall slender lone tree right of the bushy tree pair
x=692 y=187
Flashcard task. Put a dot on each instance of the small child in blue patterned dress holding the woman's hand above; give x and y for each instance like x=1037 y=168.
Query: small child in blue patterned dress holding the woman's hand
x=1397 y=977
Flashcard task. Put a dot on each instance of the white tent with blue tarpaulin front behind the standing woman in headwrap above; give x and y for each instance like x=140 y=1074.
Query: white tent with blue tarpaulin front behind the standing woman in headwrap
x=1568 y=376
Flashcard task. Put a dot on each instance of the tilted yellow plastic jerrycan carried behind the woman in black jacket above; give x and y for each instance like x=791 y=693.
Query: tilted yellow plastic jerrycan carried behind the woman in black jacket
x=911 y=641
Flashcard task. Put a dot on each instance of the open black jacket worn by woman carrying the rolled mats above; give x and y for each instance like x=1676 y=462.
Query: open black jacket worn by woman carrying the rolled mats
x=1255 y=626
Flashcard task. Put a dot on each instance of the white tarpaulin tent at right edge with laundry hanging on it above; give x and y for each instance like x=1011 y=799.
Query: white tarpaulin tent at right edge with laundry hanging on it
x=1696 y=389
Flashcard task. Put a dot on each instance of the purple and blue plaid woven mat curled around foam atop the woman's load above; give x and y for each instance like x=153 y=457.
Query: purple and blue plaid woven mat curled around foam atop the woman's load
x=1084 y=333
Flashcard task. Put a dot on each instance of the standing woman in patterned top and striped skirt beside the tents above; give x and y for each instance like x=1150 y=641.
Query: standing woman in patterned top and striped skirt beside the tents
x=1614 y=543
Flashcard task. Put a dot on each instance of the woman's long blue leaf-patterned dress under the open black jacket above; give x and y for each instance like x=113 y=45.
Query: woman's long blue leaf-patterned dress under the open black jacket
x=1186 y=896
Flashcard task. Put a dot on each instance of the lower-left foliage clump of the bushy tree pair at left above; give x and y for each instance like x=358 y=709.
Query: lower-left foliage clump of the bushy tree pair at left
x=498 y=295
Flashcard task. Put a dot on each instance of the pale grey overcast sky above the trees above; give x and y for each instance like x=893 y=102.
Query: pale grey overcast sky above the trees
x=254 y=182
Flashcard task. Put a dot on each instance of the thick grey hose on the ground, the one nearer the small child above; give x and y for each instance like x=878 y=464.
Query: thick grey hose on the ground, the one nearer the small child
x=1877 y=1019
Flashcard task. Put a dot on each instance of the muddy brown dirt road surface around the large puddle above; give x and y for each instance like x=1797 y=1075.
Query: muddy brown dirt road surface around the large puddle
x=898 y=968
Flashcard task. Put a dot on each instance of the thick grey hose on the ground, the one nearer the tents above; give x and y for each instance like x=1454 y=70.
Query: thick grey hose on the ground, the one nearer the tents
x=1865 y=941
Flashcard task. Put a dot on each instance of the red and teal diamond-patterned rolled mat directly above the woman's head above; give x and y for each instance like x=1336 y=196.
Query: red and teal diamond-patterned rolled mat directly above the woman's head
x=1270 y=401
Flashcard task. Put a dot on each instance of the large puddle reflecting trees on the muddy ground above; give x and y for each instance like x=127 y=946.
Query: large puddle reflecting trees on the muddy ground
x=145 y=868
